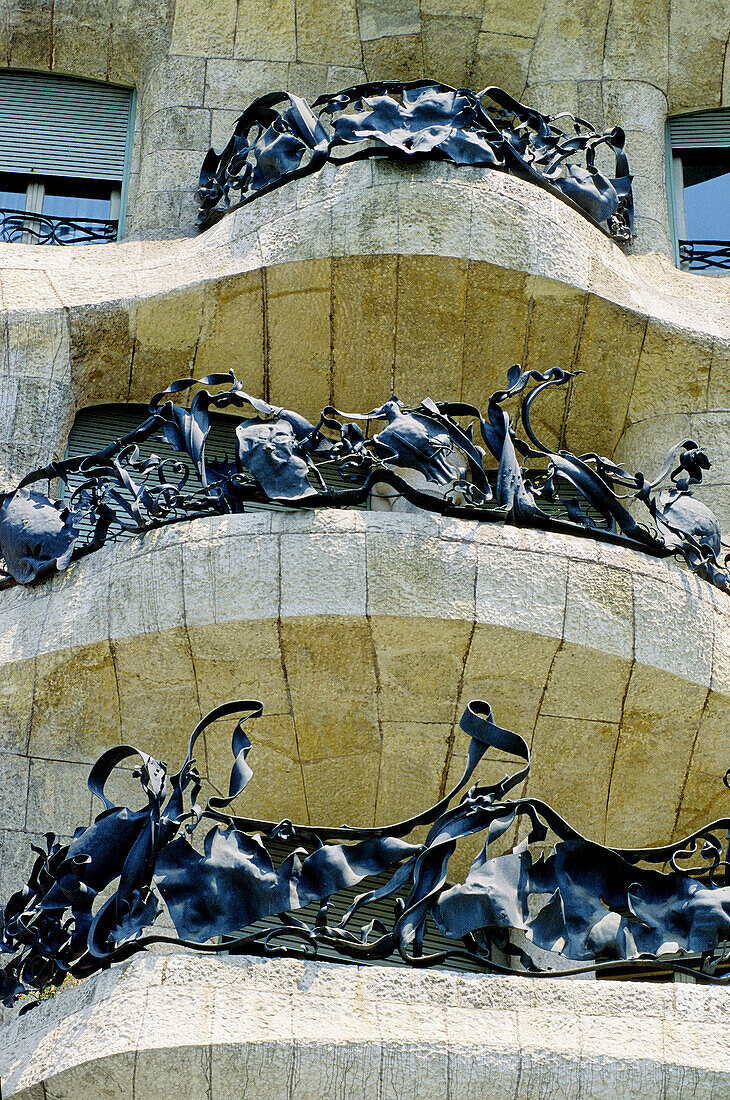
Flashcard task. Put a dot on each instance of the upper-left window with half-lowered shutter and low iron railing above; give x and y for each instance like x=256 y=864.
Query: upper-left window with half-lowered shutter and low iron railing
x=64 y=159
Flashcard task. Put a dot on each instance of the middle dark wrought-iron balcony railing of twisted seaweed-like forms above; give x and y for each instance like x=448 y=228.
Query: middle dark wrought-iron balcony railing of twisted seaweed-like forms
x=445 y=457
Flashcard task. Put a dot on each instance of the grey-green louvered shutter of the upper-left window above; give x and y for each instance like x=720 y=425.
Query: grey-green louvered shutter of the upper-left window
x=56 y=126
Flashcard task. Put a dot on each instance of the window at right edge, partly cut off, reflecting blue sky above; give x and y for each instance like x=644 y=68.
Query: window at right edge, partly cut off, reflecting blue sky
x=699 y=182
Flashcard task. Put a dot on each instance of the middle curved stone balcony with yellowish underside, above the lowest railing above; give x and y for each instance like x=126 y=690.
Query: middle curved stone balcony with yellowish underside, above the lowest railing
x=366 y=635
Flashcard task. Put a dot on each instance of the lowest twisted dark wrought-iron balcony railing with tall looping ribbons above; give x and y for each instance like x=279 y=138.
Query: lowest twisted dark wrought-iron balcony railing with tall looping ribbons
x=578 y=908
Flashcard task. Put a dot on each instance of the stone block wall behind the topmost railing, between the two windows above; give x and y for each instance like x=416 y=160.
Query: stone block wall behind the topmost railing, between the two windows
x=196 y=65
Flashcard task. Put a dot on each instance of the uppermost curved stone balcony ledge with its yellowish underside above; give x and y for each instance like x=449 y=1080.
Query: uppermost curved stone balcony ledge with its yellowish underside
x=432 y=281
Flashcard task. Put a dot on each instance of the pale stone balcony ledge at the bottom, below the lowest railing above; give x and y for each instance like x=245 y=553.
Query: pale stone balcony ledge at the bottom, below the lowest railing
x=294 y=1031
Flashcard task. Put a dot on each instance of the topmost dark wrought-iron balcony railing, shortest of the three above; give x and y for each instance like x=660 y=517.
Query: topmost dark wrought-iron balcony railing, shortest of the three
x=281 y=138
